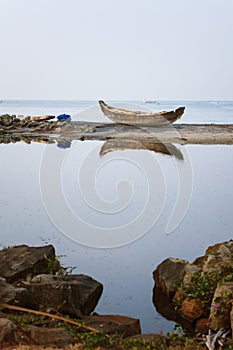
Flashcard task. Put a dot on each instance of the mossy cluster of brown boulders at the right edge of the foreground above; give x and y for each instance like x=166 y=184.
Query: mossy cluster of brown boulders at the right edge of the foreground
x=178 y=282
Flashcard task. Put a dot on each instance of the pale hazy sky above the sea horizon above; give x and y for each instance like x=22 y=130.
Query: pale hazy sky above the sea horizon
x=124 y=49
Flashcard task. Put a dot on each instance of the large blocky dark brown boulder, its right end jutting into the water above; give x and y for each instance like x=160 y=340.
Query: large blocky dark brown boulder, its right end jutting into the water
x=75 y=295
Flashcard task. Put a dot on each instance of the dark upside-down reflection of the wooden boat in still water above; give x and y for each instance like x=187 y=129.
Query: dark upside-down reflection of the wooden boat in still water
x=157 y=147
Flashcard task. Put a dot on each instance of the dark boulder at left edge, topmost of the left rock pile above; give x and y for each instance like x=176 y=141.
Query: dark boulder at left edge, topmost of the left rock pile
x=19 y=261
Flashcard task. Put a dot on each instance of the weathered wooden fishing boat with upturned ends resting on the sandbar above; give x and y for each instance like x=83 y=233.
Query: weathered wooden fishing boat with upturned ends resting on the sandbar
x=125 y=116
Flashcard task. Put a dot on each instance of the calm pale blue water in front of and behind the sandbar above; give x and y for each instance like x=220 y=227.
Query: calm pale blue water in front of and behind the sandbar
x=116 y=217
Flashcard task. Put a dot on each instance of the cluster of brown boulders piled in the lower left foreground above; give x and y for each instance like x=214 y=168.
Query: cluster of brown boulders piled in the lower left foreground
x=33 y=279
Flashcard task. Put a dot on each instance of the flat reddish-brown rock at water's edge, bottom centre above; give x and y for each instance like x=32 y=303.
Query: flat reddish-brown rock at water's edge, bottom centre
x=114 y=324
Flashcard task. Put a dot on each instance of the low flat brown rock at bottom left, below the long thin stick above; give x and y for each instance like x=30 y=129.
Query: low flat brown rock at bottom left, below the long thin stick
x=59 y=337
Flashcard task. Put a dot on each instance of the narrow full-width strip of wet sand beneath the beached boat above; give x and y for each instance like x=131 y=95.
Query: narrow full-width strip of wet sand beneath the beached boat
x=204 y=134
